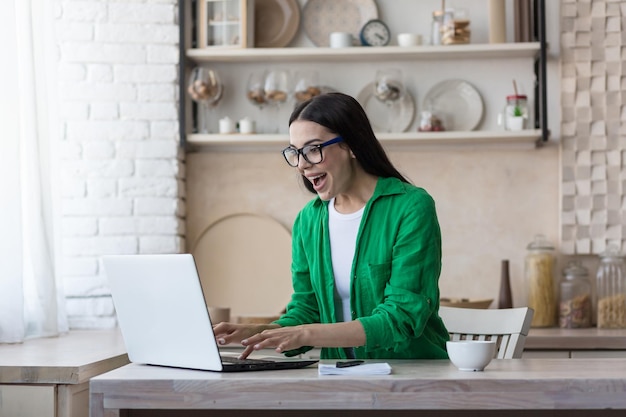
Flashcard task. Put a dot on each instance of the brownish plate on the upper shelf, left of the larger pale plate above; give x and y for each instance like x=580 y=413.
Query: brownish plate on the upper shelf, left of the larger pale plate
x=275 y=22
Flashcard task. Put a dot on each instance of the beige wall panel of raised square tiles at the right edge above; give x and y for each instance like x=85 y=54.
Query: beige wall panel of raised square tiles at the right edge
x=593 y=126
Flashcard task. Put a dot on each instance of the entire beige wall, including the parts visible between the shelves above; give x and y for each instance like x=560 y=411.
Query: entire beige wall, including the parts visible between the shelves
x=491 y=202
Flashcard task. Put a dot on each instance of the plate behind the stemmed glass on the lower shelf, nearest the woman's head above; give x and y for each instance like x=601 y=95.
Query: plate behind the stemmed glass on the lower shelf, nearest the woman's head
x=378 y=112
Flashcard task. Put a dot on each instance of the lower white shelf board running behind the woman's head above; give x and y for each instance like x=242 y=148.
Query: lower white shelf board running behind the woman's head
x=523 y=139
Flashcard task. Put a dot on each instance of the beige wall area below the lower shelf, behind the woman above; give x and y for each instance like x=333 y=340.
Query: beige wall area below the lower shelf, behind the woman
x=490 y=203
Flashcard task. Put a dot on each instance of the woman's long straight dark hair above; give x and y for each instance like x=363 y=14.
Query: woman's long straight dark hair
x=342 y=114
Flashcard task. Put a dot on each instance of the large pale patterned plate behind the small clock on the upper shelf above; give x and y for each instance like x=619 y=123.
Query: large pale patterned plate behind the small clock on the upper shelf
x=322 y=17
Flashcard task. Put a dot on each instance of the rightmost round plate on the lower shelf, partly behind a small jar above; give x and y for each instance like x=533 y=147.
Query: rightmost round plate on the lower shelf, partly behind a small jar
x=457 y=102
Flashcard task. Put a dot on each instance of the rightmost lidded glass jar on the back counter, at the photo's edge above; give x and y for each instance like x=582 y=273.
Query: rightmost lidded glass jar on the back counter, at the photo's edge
x=611 y=290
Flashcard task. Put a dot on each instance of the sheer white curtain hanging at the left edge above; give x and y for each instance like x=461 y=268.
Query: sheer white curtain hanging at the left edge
x=31 y=297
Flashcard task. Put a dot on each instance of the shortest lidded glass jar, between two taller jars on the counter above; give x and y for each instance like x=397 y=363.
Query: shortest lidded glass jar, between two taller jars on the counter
x=575 y=297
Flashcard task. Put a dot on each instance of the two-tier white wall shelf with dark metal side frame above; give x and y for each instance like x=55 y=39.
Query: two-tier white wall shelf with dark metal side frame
x=533 y=51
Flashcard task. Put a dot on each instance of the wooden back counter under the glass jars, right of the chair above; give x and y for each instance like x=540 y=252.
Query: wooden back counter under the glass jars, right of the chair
x=576 y=339
